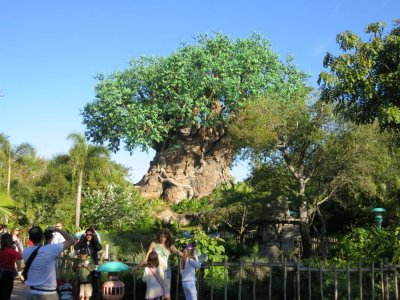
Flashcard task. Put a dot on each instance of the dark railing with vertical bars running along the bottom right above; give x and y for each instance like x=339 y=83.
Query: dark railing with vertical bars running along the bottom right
x=261 y=280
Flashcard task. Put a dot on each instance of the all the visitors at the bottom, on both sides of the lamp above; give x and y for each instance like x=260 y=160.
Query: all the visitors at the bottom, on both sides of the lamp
x=44 y=247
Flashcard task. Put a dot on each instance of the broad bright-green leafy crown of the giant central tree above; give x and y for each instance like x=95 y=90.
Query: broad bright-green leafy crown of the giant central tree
x=197 y=85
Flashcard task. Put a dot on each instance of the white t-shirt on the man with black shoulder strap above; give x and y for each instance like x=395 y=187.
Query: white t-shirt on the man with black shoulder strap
x=42 y=273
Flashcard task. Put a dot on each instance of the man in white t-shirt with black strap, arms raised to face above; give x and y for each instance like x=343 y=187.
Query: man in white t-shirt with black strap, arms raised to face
x=41 y=281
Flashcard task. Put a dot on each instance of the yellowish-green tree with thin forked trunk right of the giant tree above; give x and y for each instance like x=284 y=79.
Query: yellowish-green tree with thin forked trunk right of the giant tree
x=325 y=158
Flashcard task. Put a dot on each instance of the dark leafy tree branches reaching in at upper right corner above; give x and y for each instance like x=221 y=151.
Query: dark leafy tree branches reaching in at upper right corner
x=364 y=80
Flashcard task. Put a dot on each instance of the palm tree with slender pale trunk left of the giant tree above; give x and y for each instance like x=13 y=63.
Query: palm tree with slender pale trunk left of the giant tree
x=83 y=157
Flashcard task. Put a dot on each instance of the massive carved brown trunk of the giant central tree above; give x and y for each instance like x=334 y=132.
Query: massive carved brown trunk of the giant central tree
x=192 y=166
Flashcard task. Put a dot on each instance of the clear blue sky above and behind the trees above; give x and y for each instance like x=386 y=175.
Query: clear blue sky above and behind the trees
x=50 y=51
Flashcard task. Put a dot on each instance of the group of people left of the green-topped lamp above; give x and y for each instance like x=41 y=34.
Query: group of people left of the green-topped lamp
x=43 y=248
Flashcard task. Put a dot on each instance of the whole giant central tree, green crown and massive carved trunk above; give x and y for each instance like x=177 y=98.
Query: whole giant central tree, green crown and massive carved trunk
x=179 y=106
